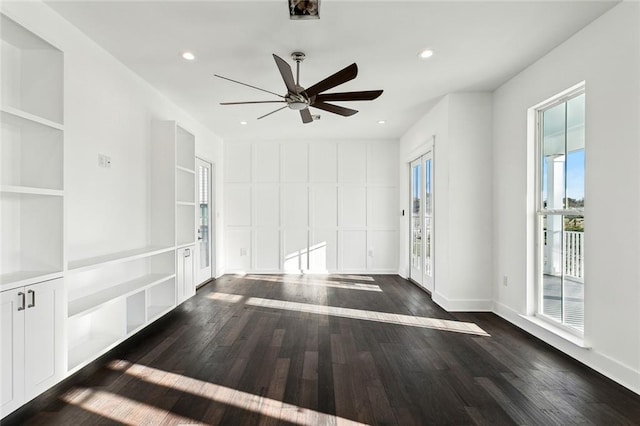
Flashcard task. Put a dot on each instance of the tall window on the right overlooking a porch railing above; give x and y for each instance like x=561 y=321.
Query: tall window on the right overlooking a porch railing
x=560 y=209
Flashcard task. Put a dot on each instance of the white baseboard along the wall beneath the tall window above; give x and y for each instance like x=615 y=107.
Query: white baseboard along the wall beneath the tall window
x=616 y=371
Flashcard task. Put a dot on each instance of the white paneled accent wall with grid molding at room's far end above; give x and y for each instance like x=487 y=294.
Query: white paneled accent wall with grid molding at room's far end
x=321 y=206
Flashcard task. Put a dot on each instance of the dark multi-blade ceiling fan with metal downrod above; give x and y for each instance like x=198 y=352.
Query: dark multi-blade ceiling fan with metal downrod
x=300 y=99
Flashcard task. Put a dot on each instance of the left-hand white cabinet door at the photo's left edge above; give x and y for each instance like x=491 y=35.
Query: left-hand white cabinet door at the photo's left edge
x=12 y=305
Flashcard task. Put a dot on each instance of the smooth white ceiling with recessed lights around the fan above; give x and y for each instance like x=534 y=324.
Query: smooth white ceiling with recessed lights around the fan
x=478 y=46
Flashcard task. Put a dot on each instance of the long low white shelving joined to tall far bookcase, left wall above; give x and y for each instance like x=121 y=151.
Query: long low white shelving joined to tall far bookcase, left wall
x=116 y=294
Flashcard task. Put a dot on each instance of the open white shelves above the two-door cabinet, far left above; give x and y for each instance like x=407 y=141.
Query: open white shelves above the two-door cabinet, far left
x=31 y=156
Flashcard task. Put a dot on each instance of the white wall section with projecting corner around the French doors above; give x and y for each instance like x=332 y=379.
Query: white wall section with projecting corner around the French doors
x=461 y=125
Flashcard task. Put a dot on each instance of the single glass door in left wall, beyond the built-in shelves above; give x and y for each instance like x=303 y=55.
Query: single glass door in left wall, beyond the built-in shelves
x=204 y=249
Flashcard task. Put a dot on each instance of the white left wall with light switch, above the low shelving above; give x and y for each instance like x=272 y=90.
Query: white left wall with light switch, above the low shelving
x=108 y=110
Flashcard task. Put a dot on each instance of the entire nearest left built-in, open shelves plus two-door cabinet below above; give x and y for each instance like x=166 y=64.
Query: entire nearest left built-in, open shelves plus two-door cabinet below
x=32 y=199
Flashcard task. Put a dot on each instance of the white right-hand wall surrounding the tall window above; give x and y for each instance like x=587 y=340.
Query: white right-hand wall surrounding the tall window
x=606 y=55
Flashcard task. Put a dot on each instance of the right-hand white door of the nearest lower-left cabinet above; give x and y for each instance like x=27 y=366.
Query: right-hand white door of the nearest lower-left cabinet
x=43 y=339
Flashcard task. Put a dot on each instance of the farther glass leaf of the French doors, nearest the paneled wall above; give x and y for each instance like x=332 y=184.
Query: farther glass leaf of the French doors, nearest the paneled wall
x=416 y=250
